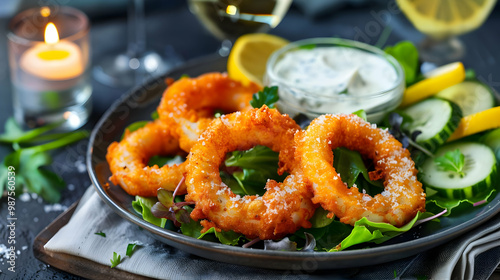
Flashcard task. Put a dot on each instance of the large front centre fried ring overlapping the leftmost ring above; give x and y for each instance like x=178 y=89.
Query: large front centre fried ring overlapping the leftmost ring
x=284 y=208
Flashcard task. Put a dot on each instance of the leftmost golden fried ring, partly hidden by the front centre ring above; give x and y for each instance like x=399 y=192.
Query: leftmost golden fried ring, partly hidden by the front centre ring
x=128 y=161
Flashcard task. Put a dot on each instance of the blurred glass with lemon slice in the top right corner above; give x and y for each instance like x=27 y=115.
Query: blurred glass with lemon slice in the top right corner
x=442 y=21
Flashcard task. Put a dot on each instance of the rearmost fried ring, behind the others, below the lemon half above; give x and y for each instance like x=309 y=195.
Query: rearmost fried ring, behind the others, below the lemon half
x=190 y=103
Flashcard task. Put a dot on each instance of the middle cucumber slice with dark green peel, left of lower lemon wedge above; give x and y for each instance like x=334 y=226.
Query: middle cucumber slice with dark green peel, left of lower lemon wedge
x=436 y=118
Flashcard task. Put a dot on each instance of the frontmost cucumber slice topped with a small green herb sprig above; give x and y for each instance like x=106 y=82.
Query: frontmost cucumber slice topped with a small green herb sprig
x=480 y=172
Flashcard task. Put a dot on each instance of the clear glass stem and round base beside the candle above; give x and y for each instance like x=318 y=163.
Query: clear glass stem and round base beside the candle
x=137 y=63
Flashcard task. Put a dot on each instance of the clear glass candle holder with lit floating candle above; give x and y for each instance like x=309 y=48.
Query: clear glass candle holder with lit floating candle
x=49 y=55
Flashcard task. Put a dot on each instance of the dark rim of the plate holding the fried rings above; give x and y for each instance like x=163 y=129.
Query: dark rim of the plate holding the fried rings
x=324 y=259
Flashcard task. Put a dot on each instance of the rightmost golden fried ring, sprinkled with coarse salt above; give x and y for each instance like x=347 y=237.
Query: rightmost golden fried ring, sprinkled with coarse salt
x=403 y=195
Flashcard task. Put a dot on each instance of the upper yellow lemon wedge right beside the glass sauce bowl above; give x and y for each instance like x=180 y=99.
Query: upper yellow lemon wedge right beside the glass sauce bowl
x=436 y=81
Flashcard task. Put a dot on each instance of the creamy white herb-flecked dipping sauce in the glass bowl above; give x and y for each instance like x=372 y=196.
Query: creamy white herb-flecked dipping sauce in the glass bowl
x=337 y=70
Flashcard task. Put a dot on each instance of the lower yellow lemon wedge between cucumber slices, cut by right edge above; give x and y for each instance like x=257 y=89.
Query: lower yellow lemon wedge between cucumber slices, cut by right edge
x=484 y=120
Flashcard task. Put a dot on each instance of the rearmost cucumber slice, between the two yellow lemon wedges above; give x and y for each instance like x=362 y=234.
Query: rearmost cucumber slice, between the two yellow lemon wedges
x=470 y=96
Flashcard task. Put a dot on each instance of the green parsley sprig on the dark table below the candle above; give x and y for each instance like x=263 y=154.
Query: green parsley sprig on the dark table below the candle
x=30 y=158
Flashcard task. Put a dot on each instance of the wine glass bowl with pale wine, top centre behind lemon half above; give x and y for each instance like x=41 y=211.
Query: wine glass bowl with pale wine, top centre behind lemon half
x=229 y=19
